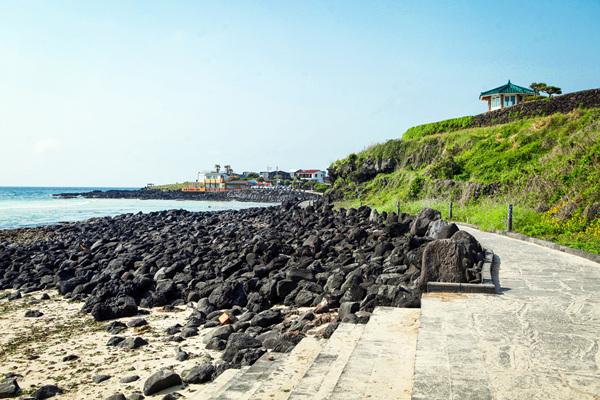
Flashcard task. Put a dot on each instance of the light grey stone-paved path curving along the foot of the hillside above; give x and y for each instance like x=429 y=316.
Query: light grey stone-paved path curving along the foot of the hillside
x=538 y=339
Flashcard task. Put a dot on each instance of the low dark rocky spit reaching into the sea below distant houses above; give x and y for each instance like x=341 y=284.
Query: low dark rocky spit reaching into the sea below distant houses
x=248 y=195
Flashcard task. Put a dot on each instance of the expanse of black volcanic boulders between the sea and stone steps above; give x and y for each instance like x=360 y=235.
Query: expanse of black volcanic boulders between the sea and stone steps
x=254 y=280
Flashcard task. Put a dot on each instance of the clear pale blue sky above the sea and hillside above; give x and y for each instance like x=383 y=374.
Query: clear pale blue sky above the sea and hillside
x=123 y=93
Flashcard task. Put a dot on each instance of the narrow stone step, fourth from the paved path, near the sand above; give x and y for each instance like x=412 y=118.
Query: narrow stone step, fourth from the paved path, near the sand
x=246 y=383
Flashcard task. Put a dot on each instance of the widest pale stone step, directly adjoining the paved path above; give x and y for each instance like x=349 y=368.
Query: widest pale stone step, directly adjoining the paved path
x=382 y=363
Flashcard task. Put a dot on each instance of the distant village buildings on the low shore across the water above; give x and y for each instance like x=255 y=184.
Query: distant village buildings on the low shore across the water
x=222 y=179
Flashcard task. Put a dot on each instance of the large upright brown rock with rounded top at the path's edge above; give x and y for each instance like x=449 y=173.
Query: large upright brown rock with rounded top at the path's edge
x=442 y=262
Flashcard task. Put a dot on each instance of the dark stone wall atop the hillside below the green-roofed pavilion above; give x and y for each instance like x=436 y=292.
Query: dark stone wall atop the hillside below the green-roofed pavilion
x=563 y=104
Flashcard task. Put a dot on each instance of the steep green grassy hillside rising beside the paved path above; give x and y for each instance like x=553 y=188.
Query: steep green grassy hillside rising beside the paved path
x=547 y=166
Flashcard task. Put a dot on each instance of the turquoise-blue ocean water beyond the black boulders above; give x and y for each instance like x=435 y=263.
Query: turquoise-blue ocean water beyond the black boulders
x=34 y=206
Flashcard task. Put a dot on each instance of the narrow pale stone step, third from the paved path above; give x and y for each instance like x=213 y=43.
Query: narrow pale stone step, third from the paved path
x=289 y=372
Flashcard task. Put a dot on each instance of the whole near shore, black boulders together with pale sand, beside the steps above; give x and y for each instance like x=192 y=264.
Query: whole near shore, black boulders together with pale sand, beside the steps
x=251 y=282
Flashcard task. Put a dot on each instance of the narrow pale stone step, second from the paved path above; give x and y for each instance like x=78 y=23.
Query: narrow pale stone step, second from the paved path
x=320 y=379
